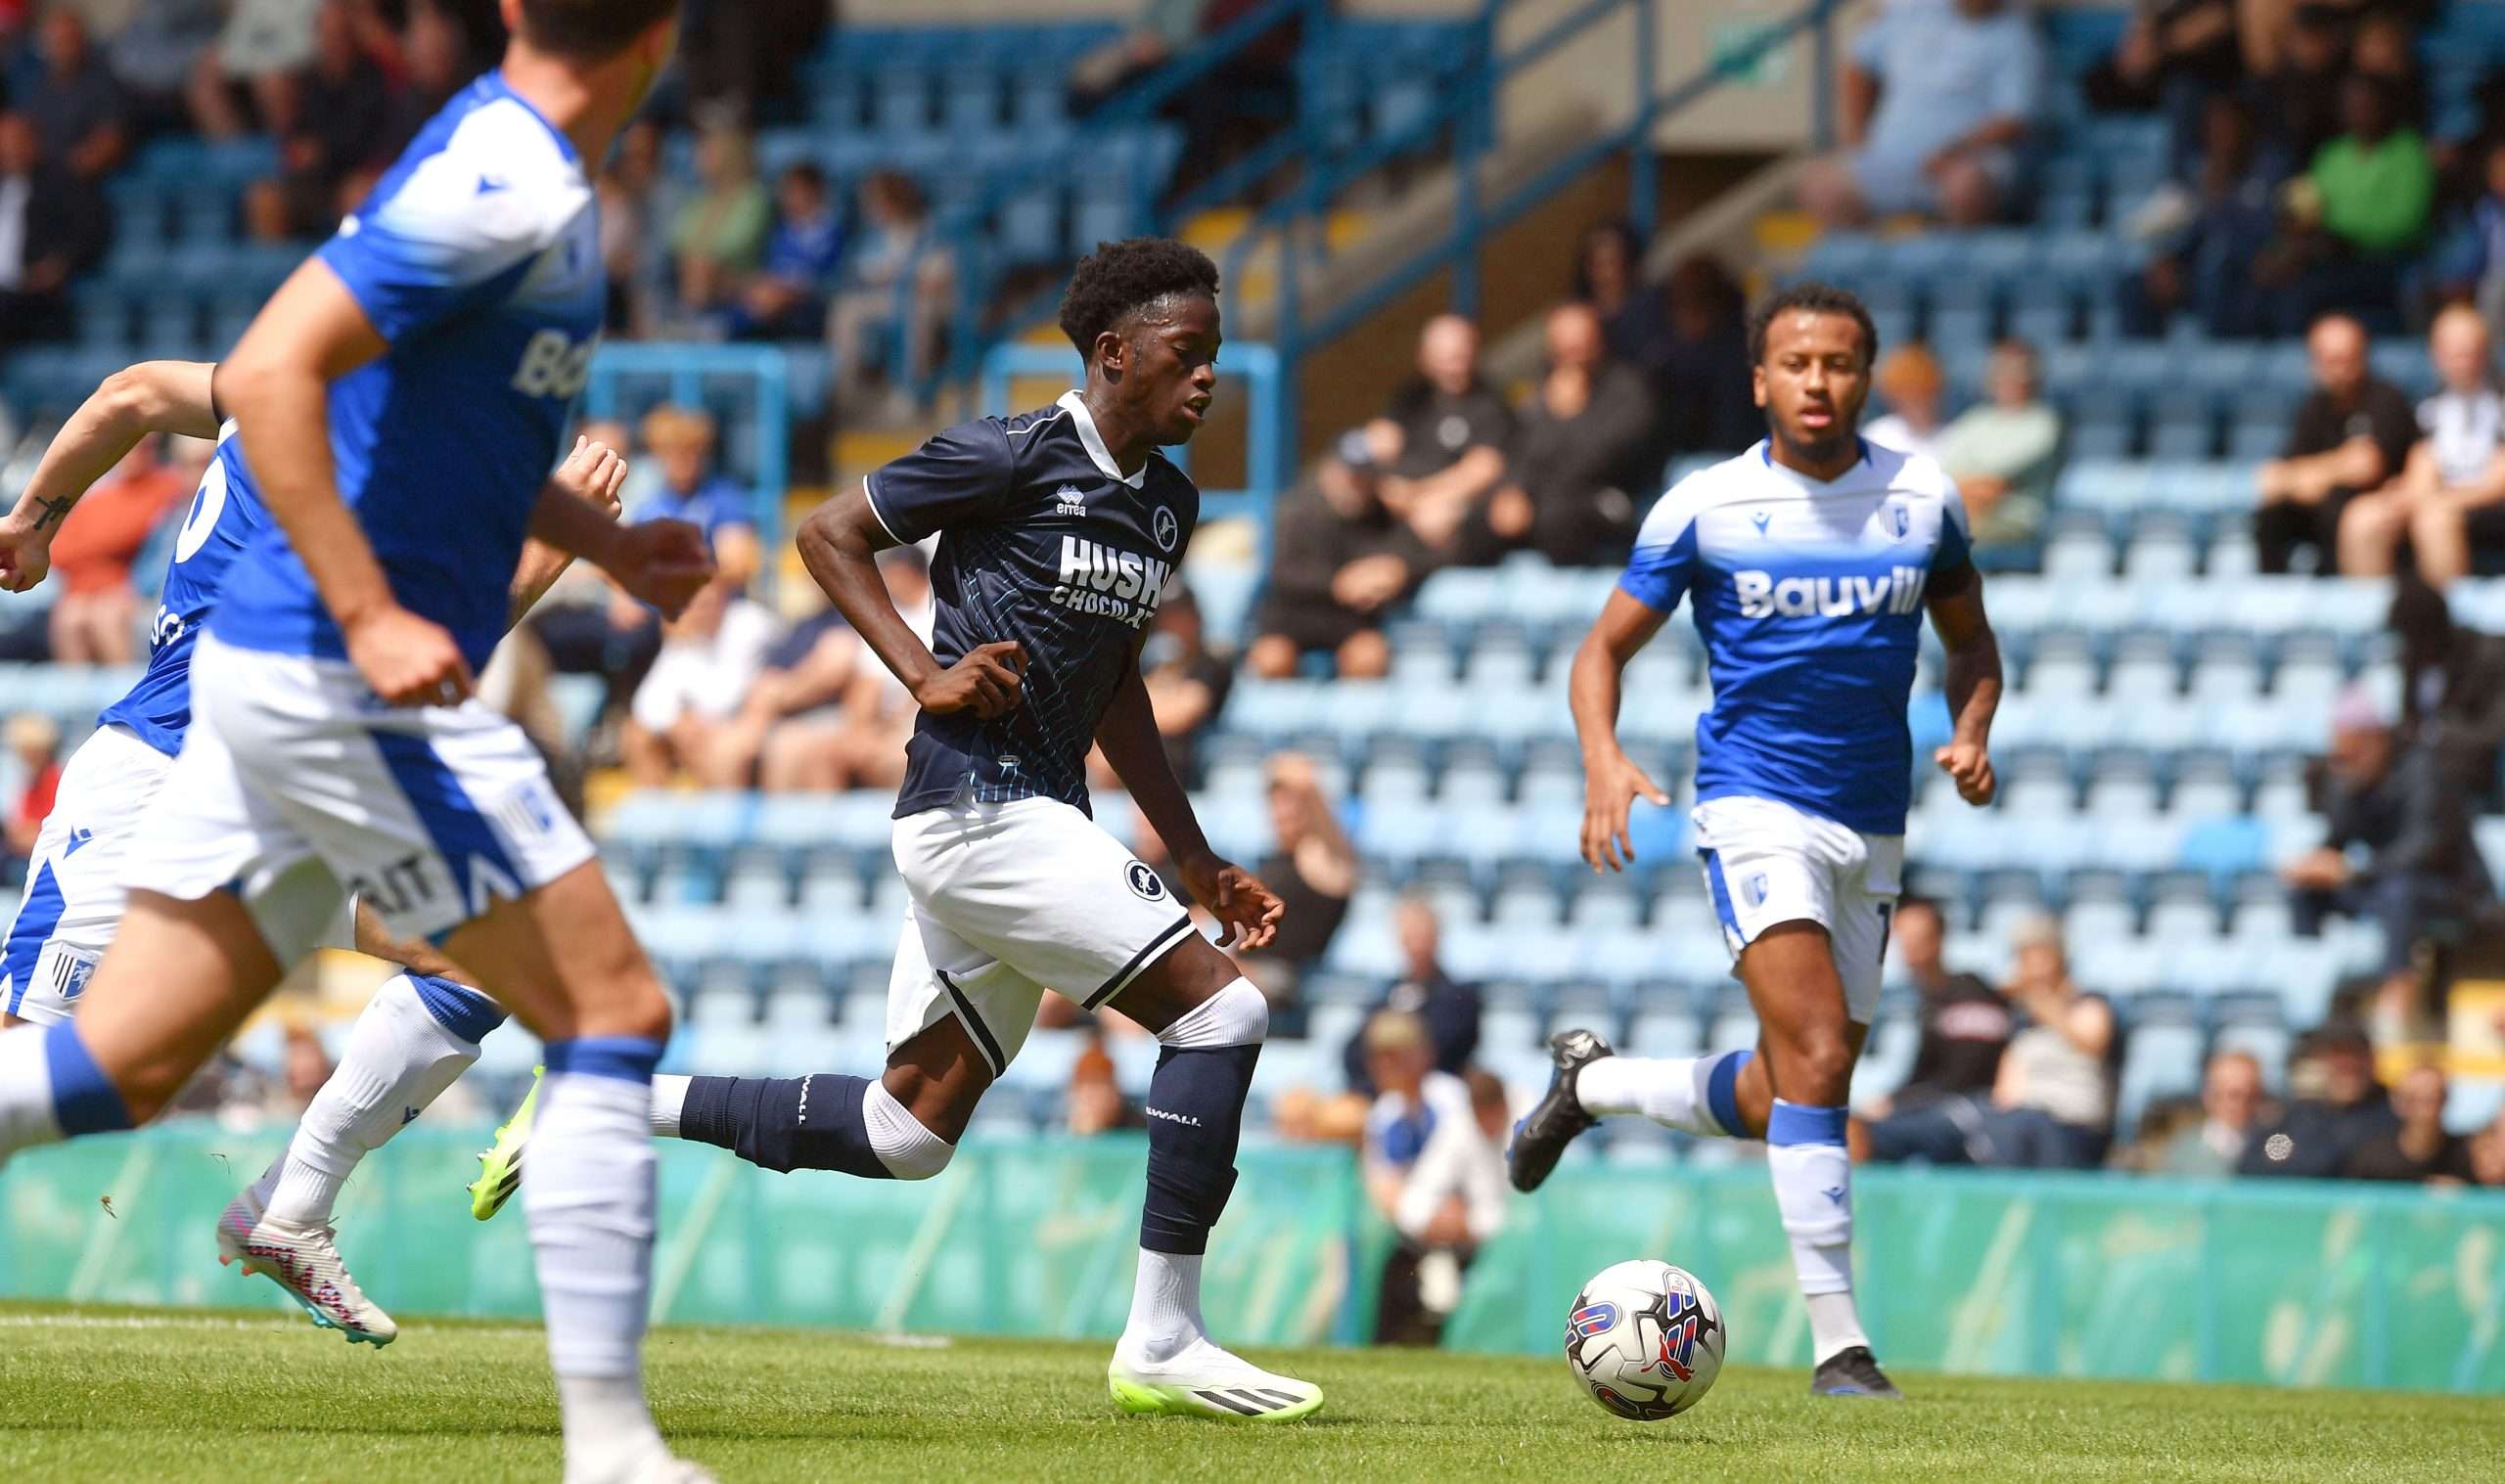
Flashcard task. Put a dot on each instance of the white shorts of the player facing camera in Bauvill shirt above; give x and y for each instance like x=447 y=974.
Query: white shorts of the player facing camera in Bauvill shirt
x=1775 y=865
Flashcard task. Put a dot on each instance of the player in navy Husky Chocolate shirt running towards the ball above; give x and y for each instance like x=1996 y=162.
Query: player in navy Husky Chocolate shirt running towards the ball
x=1058 y=532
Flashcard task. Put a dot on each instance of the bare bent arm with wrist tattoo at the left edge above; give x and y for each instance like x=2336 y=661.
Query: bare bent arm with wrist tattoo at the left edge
x=154 y=397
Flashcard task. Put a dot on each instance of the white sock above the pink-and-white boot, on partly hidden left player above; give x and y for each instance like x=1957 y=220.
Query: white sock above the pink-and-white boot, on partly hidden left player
x=400 y=1060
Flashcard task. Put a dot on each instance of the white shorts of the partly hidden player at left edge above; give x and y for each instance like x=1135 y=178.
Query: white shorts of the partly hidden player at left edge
x=74 y=890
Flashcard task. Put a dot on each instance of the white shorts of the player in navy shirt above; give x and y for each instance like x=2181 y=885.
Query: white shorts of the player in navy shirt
x=1011 y=900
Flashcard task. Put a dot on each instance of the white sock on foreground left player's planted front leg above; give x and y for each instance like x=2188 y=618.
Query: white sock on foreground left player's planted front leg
x=590 y=1202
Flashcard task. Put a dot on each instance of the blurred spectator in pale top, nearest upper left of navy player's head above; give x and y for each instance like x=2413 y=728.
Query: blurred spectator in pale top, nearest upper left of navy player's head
x=896 y=287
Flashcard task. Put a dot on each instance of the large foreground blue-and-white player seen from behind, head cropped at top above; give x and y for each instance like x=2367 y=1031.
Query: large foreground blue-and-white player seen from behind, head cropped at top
x=400 y=407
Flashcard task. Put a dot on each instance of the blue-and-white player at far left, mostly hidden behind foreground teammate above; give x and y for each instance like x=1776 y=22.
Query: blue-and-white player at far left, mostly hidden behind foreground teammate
x=422 y=1027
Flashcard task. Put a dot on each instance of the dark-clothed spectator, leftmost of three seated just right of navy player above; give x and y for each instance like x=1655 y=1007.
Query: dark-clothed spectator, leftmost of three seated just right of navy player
x=1339 y=559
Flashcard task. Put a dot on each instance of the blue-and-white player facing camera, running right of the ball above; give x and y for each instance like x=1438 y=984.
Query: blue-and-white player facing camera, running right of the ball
x=1810 y=564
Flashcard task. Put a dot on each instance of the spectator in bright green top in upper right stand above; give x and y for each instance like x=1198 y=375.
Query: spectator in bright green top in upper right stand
x=2358 y=214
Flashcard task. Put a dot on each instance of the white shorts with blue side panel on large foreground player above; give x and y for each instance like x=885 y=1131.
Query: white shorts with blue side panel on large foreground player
x=299 y=790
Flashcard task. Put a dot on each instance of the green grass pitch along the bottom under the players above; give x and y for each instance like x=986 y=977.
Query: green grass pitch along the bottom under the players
x=254 y=1398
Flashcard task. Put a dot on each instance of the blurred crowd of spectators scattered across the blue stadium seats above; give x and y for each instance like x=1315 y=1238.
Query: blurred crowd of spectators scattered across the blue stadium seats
x=2311 y=194
